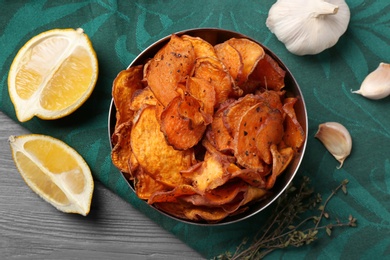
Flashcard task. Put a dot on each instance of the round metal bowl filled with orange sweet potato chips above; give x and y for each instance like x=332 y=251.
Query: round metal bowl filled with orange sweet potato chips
x=208 y=126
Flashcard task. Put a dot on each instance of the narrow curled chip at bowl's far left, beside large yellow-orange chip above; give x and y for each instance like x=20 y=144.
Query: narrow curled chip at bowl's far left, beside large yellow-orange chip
x=121 y=153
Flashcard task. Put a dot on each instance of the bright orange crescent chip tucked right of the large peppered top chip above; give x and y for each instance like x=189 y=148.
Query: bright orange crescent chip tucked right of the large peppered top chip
x=212 y=70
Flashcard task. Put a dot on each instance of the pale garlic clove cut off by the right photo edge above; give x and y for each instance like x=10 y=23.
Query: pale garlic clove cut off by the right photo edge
x=377 y=84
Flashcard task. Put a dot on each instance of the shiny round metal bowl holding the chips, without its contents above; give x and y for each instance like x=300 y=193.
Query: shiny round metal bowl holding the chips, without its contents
x=215 y=36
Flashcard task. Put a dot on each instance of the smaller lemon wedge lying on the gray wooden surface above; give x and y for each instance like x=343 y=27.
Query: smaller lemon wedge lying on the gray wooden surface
x=55 y=171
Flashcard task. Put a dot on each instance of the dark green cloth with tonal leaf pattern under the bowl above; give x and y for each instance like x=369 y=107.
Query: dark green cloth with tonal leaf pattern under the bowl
x=120 y=30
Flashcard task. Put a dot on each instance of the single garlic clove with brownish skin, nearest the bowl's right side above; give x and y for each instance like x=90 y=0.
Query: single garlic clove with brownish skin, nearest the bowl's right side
x=336 y=139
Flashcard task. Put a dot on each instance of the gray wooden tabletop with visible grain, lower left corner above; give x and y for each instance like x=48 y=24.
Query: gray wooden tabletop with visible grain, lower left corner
x=33 y=229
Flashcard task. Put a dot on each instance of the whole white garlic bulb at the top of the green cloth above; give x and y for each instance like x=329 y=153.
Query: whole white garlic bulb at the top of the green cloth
x=308 y=26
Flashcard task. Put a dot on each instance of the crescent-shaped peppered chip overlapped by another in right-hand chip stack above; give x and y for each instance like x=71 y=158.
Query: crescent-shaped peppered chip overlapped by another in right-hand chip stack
x=245 y=149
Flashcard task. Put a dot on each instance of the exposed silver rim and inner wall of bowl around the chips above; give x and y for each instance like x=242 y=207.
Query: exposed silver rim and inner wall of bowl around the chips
x=139 y=59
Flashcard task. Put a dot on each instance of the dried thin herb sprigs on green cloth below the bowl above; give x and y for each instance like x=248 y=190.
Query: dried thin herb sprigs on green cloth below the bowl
x=291 y=224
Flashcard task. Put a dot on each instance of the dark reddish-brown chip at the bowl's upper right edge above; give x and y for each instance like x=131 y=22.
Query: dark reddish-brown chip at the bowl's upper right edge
x=268 y=74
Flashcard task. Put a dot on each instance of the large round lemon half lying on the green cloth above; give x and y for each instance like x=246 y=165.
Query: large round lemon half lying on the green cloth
x=53 y=74
